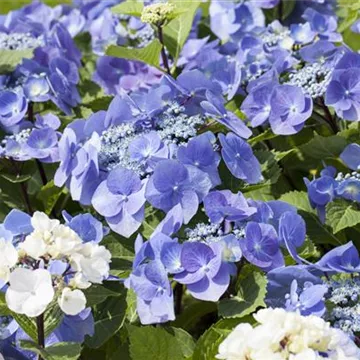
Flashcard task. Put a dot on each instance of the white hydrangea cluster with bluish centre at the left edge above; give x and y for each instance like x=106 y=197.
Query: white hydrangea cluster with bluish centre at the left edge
x=51 y=261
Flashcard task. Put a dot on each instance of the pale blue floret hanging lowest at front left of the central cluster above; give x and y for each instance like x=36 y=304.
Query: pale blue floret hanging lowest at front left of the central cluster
x=121 y=200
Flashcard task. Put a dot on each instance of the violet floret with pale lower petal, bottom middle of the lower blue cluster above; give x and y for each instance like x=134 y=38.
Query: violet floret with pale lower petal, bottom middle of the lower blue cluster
x=205 y=275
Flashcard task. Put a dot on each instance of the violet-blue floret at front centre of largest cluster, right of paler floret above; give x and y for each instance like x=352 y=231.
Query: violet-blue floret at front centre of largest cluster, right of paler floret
x=173 y=183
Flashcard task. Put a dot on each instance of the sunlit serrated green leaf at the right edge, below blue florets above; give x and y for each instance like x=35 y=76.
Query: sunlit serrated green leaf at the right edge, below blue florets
x=341 y=214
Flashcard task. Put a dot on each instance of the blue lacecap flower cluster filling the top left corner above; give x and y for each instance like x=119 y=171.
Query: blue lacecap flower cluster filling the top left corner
x=51 y=74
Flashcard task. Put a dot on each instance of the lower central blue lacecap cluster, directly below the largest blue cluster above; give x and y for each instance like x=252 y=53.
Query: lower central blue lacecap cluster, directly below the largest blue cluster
x=205 y=258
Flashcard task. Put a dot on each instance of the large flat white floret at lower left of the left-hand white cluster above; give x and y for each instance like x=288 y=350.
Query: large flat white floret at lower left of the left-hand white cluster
x=30 y=291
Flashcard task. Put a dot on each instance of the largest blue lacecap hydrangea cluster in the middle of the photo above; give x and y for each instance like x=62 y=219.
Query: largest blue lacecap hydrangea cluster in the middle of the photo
x=146 y=148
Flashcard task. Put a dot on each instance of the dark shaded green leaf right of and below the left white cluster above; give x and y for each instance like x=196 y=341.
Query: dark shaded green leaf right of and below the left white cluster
x=109 y=317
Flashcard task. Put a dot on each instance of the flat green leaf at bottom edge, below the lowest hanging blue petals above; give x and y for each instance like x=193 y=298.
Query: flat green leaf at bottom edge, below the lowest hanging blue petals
x=153 y=343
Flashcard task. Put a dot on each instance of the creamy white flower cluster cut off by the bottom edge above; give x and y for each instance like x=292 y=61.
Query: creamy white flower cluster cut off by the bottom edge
x=283 y=335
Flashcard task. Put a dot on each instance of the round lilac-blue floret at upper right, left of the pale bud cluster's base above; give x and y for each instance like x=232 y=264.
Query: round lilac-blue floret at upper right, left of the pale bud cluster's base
x=290 y=109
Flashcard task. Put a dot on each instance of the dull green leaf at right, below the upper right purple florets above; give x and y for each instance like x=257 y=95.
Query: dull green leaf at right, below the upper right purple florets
x=322 y=148
